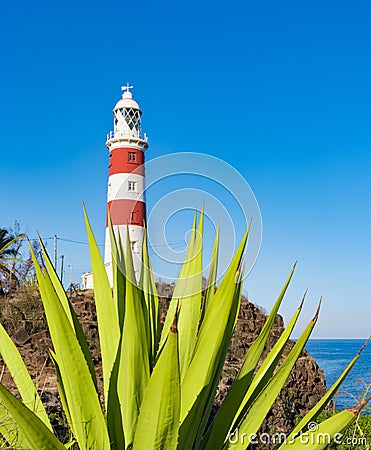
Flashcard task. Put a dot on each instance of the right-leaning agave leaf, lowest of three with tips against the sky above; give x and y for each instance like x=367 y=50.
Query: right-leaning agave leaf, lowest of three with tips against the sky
x=259 y=409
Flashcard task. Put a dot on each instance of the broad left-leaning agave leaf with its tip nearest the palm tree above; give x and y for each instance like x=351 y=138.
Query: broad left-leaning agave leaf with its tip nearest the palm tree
x=87 y=419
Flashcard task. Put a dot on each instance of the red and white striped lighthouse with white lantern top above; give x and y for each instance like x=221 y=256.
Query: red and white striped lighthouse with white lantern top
x=126 y=181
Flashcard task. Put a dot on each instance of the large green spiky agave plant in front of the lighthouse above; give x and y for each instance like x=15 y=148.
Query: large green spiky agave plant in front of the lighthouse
x=158 y=384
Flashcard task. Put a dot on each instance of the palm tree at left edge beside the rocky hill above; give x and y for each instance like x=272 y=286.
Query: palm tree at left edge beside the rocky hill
x=8 y=255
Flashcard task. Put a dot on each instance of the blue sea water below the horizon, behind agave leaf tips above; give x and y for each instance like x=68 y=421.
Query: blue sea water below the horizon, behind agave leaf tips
x=333 y=355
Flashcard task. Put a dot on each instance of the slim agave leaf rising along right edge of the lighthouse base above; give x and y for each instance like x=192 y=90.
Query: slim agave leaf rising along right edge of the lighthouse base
x=148 y=287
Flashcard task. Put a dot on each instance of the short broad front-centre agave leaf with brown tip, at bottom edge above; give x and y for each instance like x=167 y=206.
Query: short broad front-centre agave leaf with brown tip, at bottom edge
x=158 y=422
